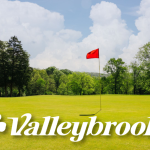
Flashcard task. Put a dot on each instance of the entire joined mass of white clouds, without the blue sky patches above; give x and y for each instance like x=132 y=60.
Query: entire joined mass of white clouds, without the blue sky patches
x=43 y=34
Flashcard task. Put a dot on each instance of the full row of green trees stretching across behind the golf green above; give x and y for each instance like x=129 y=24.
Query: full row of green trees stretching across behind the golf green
x=18 y=78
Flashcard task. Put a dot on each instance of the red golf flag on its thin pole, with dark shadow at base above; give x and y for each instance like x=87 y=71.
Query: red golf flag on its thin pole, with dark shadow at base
x=94 y=56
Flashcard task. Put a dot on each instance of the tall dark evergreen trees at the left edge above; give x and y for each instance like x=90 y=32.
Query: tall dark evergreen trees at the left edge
x=14 y=68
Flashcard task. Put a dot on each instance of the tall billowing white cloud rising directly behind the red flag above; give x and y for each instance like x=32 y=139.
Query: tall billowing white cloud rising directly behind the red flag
x=108 y=32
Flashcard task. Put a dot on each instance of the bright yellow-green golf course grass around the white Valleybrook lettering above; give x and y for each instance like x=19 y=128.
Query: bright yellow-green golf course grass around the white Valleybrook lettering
x=114 y=108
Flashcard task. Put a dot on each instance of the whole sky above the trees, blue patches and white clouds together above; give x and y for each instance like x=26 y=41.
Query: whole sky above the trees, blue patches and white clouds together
x=61 y=32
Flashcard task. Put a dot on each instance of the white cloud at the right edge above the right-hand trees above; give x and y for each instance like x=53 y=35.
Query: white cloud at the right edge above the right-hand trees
x=136 y=41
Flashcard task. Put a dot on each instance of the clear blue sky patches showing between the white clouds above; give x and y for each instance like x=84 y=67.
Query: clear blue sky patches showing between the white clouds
x=76 y=12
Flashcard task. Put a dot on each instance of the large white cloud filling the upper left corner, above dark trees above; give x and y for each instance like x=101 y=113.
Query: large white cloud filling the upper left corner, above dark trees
x=32 y=24
